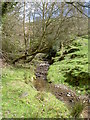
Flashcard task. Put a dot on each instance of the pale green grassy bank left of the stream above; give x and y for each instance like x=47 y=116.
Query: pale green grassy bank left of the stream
x=21 y=100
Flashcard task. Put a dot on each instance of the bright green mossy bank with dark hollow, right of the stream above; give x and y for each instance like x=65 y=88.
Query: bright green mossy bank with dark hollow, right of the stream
x=73 y=70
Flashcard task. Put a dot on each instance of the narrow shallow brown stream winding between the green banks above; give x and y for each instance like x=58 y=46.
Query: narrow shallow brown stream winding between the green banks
x=61 y=91
